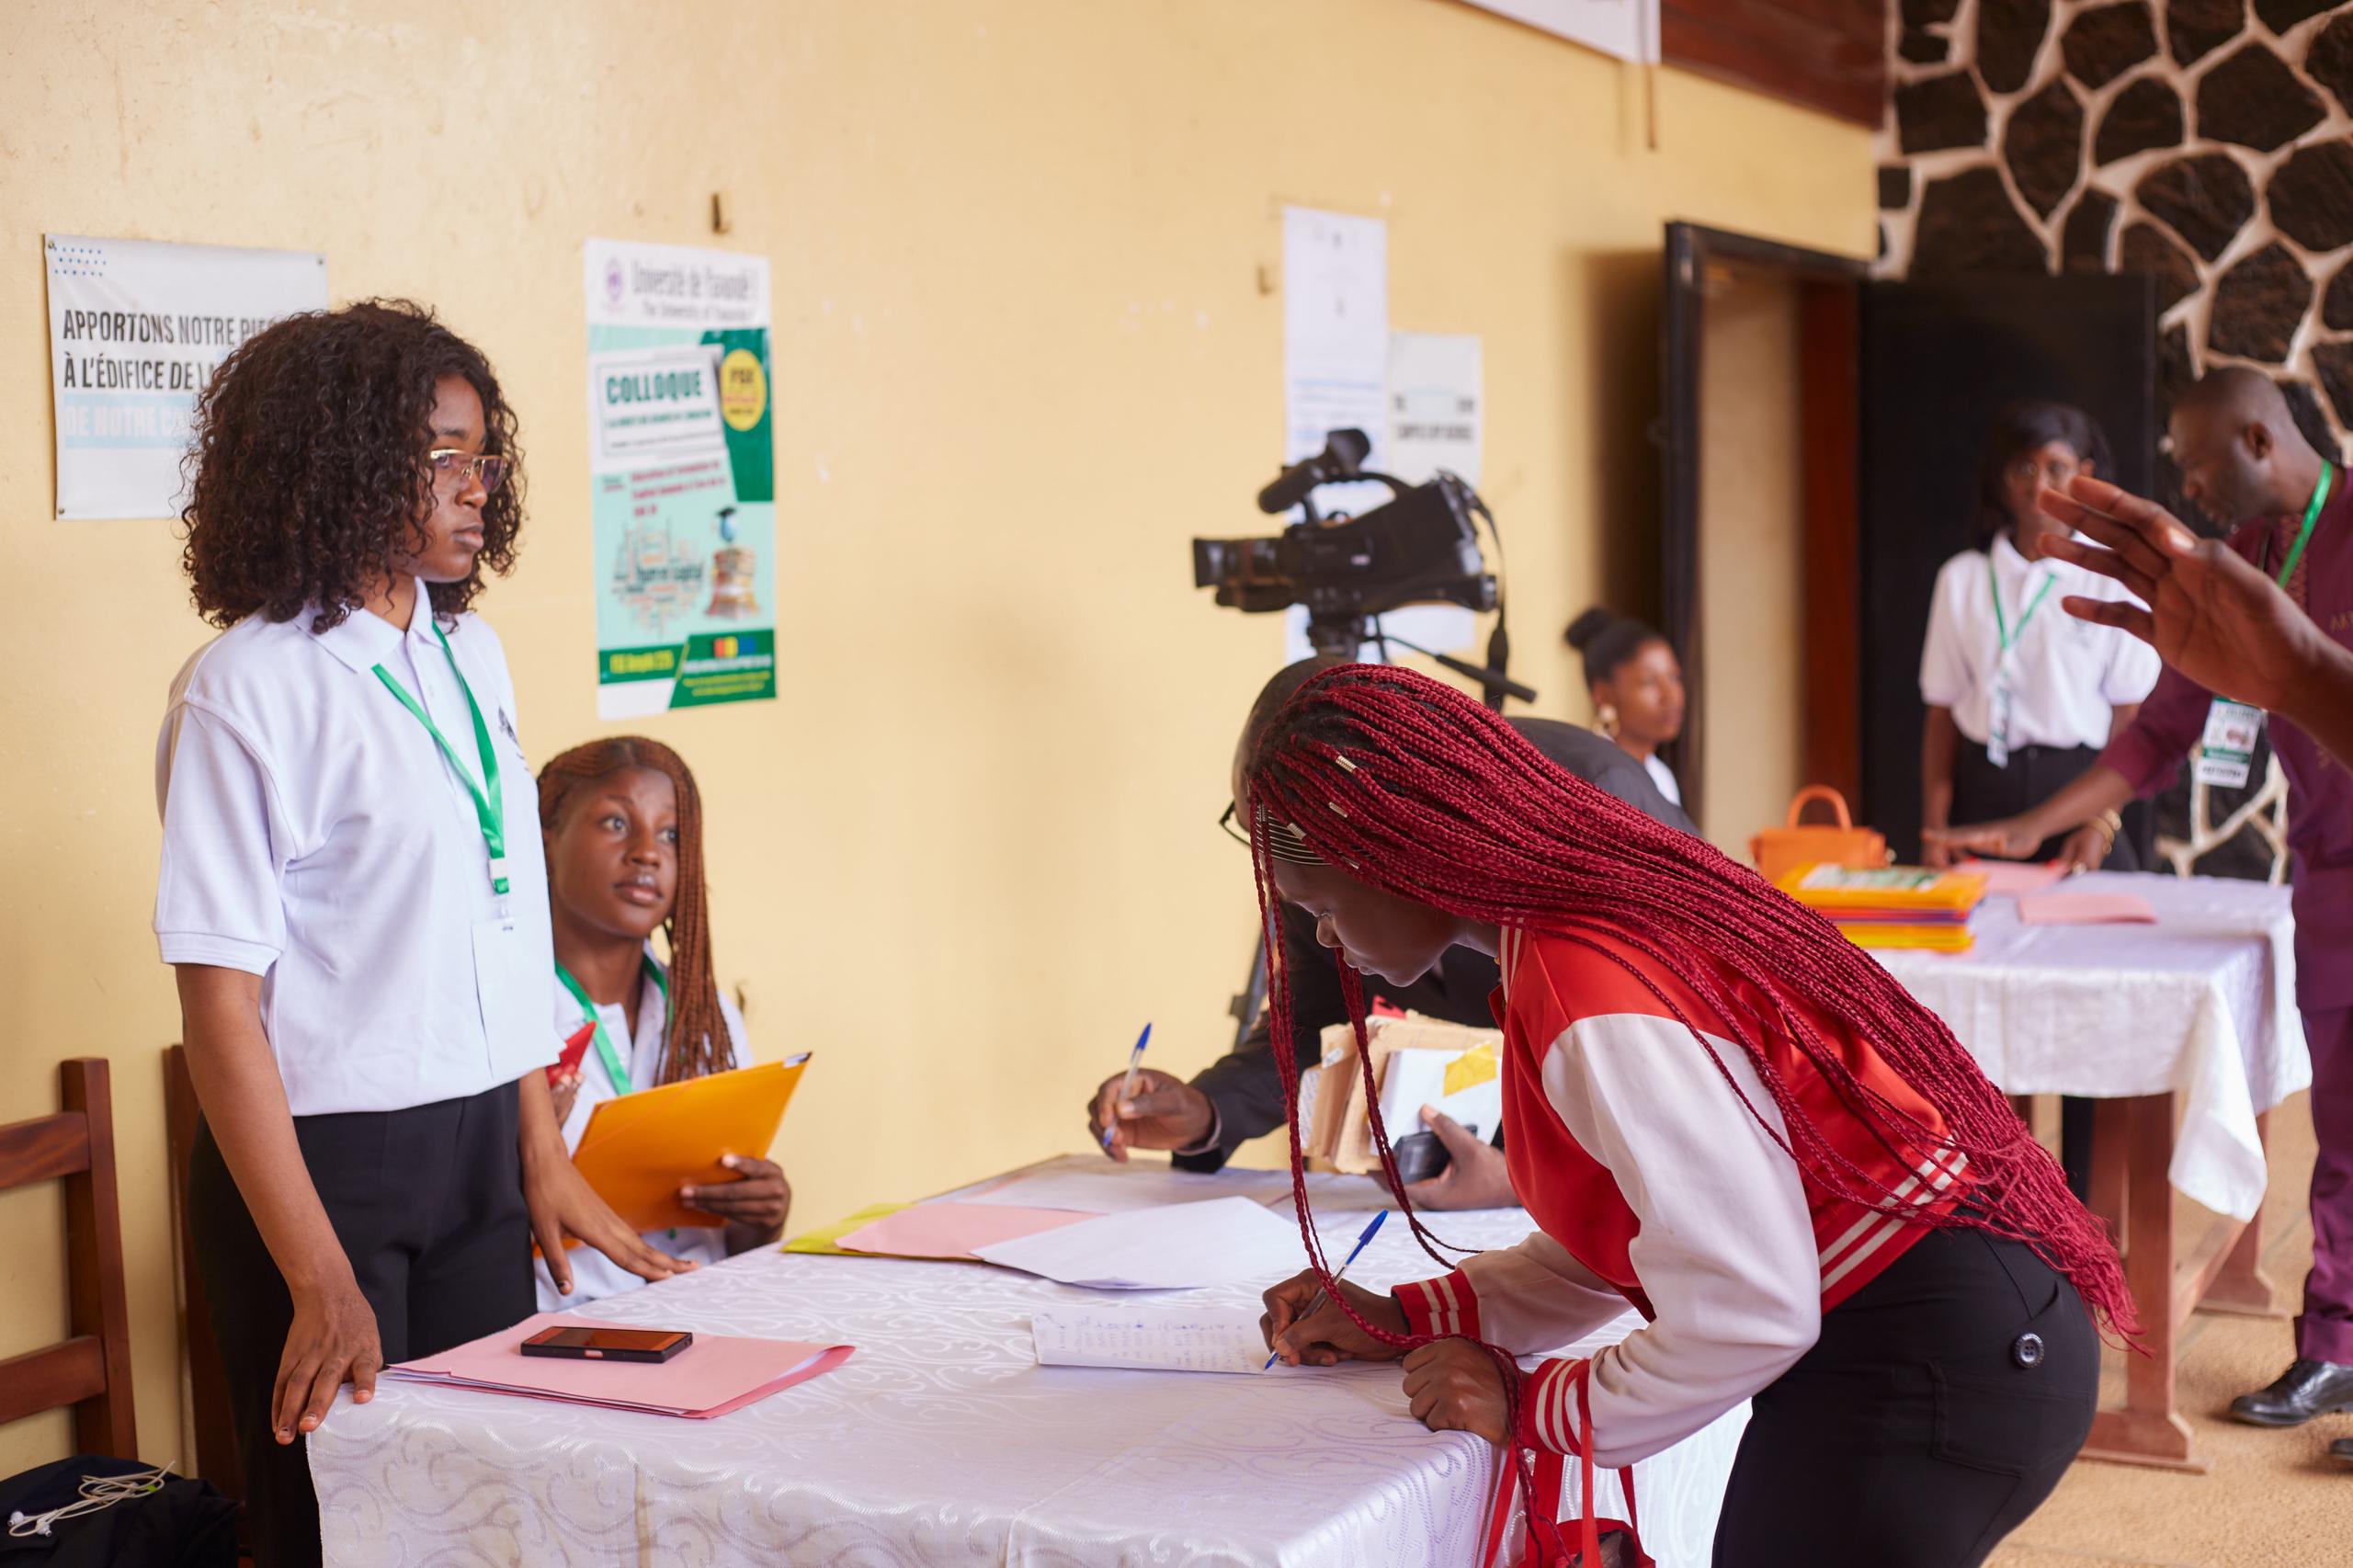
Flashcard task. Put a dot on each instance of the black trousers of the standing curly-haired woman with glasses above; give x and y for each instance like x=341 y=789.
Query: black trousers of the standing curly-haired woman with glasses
x=429 y=1209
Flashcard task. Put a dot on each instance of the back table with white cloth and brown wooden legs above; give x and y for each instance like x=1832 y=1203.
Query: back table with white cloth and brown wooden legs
x=2192 y=1021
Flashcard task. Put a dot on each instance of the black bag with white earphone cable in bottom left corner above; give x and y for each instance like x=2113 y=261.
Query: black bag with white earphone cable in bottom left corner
x=178 y=1524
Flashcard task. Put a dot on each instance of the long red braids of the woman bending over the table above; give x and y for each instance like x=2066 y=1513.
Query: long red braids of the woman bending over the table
x=1413 y=788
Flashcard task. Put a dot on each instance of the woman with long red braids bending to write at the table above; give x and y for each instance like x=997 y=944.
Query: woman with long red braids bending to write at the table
x=1719 y=1112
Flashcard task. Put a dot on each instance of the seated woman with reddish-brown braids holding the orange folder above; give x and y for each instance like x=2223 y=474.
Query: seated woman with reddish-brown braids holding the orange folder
x=625 y=837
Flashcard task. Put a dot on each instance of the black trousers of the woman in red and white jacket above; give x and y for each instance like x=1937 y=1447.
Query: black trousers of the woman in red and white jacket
x=1938 y=1411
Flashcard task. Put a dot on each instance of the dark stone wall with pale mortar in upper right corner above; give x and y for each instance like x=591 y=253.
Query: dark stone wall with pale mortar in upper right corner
x=2206 y=142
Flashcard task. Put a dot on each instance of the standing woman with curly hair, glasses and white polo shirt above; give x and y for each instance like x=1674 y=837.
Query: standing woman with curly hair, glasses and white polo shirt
x=352 y=886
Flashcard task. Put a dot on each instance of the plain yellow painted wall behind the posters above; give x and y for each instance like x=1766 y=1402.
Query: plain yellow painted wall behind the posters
x=1022 y=354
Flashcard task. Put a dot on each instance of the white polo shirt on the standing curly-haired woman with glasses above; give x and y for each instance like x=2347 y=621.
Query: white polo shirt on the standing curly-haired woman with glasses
x=314 y=835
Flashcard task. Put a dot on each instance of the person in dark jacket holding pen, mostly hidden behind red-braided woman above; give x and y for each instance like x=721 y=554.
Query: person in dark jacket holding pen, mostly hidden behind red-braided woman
x=1241 y=1096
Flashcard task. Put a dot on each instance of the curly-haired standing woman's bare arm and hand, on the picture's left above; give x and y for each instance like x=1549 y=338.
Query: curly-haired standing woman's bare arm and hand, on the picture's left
x=246 y=1105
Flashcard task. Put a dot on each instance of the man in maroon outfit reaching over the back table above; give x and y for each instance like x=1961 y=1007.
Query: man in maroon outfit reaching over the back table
x=2244 y=463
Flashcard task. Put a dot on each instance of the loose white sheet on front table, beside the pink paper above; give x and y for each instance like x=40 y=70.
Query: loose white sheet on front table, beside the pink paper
x=1161 y=1249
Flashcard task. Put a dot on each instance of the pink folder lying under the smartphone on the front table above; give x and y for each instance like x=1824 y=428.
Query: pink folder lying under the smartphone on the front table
x=709 y=1378
